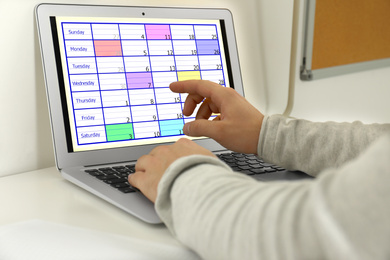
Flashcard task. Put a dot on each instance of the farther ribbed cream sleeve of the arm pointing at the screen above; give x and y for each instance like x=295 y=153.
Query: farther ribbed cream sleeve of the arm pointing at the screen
x=312 y=147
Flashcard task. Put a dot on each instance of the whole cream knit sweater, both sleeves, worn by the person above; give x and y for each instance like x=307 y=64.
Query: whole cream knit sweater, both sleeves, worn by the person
x=344 y=213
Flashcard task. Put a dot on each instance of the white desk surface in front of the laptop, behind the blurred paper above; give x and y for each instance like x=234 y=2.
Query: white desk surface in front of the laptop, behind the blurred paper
x=45 y=195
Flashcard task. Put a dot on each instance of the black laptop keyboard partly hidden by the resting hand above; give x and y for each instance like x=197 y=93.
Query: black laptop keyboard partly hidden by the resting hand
x=248 y=164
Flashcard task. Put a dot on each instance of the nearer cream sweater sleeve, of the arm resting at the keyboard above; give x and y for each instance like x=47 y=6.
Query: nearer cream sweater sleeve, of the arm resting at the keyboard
x=342 y=214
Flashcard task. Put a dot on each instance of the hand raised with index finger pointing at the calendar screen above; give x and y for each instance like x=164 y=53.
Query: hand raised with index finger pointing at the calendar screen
x=237 y=127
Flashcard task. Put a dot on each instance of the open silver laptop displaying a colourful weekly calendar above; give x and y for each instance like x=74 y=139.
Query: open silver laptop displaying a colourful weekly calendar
x=107 y=73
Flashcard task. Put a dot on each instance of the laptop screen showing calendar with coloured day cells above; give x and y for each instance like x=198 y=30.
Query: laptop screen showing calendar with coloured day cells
x=114 y=76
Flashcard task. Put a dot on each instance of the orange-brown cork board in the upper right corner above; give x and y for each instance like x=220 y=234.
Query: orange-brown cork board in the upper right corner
x=348 y=32
